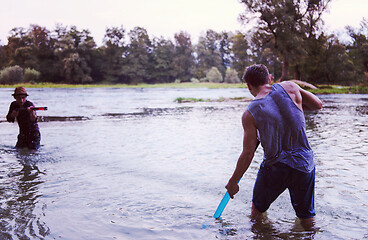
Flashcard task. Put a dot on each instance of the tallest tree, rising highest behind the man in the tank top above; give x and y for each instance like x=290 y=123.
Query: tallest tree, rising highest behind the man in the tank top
x=286 y=24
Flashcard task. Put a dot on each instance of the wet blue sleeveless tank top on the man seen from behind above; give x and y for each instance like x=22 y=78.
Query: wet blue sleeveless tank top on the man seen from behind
x=281 y=126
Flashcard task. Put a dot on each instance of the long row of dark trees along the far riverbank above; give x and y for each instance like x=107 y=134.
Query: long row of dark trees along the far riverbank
x=288 y=38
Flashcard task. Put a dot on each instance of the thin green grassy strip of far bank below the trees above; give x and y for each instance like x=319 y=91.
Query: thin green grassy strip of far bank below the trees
x=321 y=89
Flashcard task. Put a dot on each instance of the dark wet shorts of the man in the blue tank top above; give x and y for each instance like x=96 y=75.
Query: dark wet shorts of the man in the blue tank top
x=272 y=181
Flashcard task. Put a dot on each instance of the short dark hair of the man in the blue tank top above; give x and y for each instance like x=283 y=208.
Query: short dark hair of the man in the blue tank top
x=256 y=75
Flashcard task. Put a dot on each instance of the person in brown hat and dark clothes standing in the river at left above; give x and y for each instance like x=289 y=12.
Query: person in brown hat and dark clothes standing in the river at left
x=20 y=110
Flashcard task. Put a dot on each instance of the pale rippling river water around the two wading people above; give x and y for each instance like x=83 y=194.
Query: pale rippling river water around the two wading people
x=133 y=164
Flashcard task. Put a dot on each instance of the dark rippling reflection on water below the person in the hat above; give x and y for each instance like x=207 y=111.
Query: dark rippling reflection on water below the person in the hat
x=19 y=195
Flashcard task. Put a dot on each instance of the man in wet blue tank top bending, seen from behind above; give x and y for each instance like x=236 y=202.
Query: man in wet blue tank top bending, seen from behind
x=276 y=114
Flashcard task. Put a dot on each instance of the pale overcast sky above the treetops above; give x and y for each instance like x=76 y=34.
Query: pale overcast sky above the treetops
x=158 y=17
